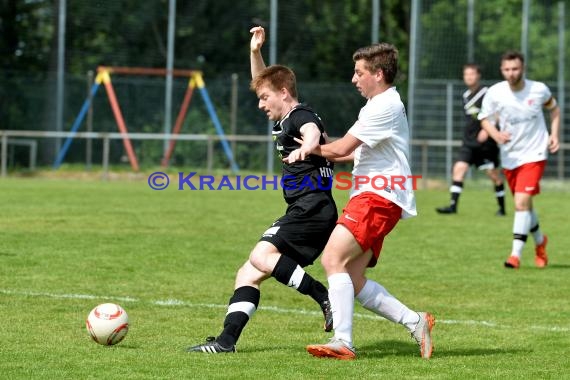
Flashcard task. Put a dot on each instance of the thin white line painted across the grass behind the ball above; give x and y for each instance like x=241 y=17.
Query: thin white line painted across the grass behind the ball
x=275 y=309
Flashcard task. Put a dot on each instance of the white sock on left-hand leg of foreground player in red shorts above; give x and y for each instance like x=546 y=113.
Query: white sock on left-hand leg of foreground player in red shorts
x=341 y=296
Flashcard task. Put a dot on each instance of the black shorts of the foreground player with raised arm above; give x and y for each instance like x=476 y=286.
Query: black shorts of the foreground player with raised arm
x=304 y=230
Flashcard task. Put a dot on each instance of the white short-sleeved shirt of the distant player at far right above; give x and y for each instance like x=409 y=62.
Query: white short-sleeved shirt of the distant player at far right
x=520 y=114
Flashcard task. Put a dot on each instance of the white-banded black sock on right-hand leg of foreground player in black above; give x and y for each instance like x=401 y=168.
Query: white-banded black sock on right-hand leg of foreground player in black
x=288 y=272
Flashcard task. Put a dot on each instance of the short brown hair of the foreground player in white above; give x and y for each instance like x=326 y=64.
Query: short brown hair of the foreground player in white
x=381 y=56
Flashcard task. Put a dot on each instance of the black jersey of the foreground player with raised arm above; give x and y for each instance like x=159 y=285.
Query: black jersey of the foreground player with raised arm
x=314 y=173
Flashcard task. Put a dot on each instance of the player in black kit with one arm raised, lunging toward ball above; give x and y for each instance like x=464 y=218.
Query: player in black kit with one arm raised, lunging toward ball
x=296 y=239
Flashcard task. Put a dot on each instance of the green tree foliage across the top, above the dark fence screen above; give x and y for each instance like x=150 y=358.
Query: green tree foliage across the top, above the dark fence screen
x=315 y=37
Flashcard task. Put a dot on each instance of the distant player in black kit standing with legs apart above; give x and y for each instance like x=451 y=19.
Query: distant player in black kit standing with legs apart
x=477 y=148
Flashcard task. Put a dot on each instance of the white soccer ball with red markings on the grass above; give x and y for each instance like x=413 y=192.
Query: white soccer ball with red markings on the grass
x=107 y=324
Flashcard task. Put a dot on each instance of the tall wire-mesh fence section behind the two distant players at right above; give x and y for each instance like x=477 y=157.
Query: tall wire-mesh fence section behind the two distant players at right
x=446 y=35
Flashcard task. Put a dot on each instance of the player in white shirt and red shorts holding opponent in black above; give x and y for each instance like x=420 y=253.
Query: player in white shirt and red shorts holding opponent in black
x=379 y=140
